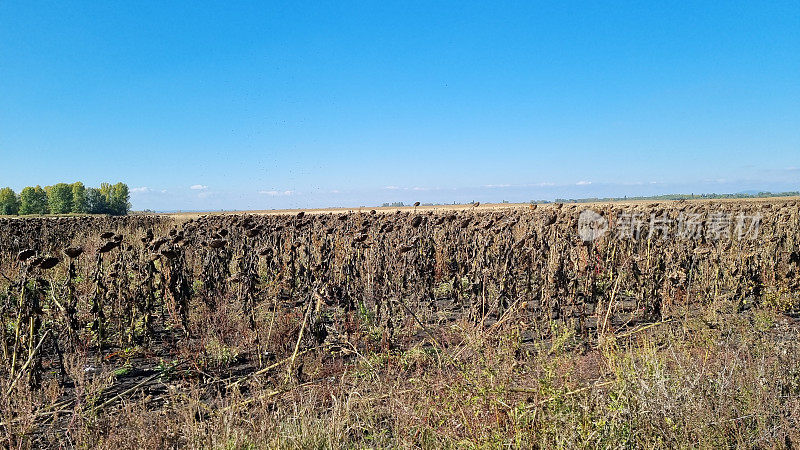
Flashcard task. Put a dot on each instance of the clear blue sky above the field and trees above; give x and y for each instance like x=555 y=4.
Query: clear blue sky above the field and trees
x=257 y=105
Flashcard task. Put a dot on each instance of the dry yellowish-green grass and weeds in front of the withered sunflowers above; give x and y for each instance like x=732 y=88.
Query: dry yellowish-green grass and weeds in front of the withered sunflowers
x=672 y=385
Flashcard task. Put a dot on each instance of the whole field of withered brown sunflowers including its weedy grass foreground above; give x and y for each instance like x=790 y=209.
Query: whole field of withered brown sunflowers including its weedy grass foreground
x=414 y=328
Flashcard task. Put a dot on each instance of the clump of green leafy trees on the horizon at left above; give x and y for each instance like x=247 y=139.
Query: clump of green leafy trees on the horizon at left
x=63 y=198
